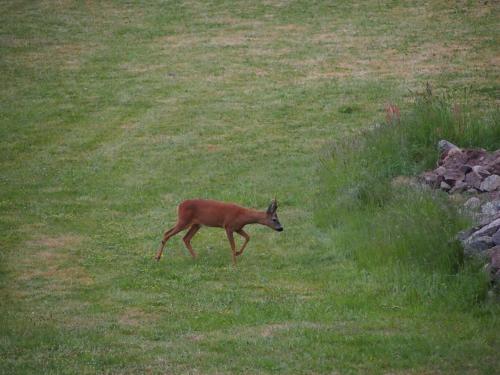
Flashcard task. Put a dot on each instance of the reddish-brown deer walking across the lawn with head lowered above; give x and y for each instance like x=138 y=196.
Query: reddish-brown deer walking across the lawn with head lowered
x=195 y=213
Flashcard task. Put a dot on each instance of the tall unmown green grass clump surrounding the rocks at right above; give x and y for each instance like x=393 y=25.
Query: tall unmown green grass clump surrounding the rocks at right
x=394 y=228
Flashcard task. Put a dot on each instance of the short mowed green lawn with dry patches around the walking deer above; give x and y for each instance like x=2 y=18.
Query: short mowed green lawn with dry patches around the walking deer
x=112 y=113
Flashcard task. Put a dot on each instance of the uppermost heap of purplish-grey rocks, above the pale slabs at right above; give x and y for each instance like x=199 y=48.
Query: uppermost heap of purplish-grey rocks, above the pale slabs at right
x=471 y=170
